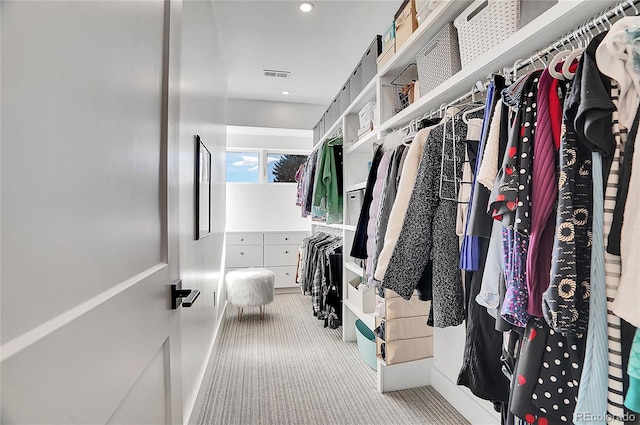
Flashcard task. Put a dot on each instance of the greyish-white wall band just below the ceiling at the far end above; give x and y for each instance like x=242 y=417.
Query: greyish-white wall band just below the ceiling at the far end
x=257 y=113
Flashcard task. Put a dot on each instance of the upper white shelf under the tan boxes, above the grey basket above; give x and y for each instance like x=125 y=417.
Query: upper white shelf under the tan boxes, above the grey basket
x=444 y=13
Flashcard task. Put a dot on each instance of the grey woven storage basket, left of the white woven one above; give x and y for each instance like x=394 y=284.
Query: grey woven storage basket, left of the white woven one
x=439 y=59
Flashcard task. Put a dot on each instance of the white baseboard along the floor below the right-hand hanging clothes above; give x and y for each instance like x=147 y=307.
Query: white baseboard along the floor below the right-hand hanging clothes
x=475 y=410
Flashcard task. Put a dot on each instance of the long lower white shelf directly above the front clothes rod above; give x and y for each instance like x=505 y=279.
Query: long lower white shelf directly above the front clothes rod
x=538 y=33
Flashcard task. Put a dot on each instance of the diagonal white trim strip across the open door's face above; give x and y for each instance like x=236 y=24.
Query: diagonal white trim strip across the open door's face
x=13 y=347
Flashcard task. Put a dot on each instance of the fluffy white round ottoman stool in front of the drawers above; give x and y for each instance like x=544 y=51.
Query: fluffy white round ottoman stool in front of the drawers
x=250 y=287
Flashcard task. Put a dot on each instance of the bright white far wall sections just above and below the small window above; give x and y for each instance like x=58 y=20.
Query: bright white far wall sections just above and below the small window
x=257 y=207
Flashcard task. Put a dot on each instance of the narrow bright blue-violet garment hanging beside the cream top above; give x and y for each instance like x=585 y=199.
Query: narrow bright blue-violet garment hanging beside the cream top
x=470 y=249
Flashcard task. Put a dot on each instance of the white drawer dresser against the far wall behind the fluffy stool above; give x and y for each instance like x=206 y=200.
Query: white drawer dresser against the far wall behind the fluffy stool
x=276 y=251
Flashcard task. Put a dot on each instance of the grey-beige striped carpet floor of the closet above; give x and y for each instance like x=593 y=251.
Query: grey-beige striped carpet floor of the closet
x=289 y=369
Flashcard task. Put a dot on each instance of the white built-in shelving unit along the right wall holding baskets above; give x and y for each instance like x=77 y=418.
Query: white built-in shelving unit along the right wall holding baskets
x=449 y=343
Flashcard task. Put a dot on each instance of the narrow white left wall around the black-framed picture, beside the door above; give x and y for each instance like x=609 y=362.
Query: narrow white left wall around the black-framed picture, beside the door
x=202 y=112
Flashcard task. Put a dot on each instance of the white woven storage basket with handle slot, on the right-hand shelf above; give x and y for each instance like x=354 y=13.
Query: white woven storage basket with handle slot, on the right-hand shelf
x=485 y=24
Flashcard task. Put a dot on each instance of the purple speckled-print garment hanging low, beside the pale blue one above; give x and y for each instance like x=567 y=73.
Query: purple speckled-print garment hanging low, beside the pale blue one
x=514 y=248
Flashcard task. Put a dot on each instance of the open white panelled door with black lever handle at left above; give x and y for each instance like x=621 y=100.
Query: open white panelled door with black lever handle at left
x=89 y=129
